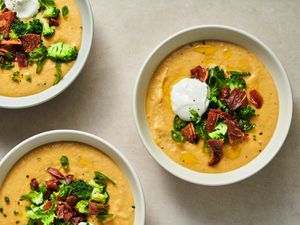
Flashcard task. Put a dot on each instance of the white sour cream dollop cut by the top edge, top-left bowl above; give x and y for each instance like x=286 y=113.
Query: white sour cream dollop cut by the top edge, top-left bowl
x=24 y=8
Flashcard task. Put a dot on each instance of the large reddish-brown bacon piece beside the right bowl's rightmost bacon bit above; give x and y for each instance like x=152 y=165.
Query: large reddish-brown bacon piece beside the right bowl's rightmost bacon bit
x=236 y=99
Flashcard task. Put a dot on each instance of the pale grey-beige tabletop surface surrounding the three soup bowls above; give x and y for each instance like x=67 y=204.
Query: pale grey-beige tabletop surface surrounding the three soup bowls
x=100 y=102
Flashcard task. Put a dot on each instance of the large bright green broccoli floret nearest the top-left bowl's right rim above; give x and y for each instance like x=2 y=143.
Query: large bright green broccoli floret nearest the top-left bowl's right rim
x=62 y=52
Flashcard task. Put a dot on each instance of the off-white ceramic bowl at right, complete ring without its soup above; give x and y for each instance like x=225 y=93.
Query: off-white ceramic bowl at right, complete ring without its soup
x=223 y=33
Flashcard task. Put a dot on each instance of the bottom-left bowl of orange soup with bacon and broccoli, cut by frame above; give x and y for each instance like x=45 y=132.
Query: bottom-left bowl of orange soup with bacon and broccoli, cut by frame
x=68 y=176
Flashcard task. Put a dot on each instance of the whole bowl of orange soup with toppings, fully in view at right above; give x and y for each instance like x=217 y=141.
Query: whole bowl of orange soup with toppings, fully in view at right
x=212 y=105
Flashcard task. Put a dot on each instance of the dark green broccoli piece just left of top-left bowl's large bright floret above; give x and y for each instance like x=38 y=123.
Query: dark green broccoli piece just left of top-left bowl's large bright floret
x=38 y=56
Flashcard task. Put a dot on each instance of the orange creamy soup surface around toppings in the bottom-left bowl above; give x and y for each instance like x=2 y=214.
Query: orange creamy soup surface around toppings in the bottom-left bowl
x=83 y=161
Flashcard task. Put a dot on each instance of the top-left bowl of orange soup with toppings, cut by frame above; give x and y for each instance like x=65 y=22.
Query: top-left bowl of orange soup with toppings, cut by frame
x=43 y=48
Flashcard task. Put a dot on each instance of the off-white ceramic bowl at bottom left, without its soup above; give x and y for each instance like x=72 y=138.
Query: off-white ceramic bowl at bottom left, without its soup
x=72 y=135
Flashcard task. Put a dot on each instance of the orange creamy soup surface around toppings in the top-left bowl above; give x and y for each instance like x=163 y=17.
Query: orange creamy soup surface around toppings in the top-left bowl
x=69 y=31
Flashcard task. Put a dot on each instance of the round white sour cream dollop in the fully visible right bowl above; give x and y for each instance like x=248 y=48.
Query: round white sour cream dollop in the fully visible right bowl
x=189 y=94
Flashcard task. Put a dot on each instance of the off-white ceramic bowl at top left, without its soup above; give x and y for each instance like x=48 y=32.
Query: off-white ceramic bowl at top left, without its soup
x=87 y=38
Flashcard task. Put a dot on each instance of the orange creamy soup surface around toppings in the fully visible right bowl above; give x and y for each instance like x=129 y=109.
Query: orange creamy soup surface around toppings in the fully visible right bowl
x=176 y=67
